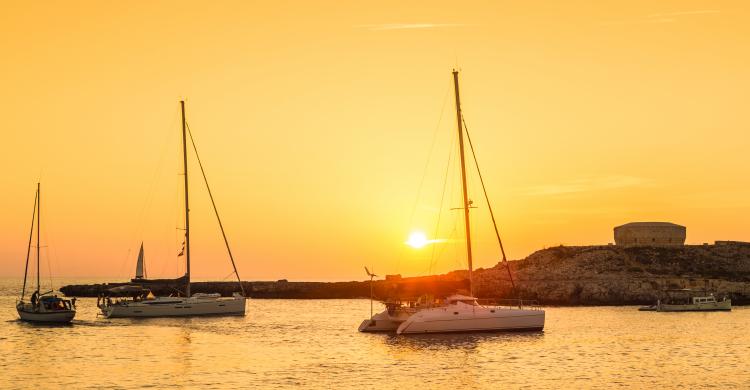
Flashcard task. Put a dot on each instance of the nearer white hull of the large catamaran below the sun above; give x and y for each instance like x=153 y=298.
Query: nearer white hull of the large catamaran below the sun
x=472 y=319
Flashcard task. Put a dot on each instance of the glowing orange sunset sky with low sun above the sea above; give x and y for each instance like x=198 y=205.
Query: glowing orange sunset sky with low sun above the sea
x=315 y=121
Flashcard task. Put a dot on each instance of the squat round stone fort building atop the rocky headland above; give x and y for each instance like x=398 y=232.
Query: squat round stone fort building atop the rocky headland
x=650 y=234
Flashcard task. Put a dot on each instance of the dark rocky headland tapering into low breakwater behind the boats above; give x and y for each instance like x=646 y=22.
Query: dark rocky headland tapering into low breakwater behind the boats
x=577 y=275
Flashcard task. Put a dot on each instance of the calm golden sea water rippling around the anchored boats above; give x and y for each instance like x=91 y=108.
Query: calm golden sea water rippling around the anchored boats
x=315 y=344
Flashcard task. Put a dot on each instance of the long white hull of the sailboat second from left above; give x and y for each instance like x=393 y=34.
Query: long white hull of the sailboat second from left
x=176 y=307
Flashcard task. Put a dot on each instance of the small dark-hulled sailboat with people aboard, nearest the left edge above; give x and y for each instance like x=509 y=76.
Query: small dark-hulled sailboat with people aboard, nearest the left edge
x=42 y=307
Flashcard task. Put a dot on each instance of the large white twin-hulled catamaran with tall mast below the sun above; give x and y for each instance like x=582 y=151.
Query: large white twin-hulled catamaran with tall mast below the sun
x=460 y=313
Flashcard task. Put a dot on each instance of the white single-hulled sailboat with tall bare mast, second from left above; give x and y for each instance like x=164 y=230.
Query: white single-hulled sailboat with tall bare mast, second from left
x=144 y=304
